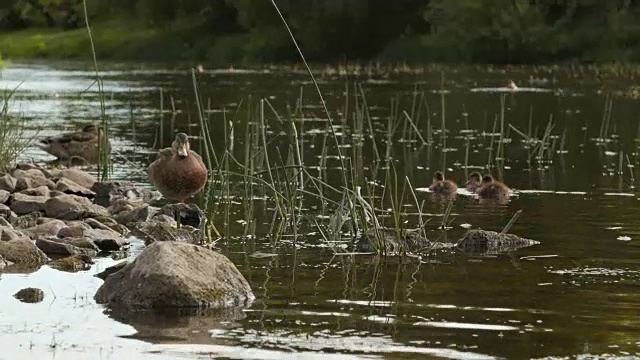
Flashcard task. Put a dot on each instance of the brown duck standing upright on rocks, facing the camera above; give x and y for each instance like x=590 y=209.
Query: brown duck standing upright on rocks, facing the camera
x=178 y=172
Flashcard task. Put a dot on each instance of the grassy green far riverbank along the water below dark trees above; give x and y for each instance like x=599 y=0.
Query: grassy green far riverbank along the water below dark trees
x=122 y=41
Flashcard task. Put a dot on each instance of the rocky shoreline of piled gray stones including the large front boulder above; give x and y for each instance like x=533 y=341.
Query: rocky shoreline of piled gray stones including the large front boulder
x=66 y=218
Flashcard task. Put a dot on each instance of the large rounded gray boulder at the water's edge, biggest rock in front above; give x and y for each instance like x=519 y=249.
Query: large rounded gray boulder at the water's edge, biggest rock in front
x=172 y=274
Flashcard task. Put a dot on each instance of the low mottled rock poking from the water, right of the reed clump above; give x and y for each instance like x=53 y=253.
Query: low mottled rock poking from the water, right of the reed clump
x=479 y=241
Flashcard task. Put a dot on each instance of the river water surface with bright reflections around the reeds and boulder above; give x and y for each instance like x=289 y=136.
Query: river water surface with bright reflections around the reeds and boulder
x=574 y=294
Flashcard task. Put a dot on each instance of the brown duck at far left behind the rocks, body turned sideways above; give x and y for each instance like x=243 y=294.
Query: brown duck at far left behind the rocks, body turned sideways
x=81 y=144
